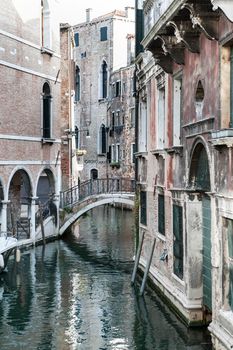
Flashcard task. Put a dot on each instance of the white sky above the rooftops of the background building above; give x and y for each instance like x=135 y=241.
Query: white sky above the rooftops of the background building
x=74 y=11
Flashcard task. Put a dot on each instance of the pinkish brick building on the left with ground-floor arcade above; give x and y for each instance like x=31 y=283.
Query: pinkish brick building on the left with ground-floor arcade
x=29 y=111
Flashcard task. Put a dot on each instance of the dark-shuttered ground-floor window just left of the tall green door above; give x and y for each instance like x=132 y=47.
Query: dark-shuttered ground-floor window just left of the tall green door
x=178 y=240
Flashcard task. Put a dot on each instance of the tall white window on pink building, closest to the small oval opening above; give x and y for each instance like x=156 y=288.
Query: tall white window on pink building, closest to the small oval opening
x=177 y=103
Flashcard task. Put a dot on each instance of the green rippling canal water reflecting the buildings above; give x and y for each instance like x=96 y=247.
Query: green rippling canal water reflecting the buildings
x=76 y=294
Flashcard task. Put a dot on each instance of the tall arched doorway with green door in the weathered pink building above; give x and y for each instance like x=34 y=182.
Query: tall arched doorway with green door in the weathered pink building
x=199 y=181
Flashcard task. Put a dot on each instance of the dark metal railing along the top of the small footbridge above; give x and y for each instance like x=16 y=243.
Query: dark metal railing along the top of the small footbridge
x=95 y=187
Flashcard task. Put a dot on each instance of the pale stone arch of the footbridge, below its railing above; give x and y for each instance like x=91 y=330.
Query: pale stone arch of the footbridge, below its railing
x=93 y=202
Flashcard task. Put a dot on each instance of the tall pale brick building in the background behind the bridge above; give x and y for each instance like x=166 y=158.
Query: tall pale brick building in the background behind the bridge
x=102 y=46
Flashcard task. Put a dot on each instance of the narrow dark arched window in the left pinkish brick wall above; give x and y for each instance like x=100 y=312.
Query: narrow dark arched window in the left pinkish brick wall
x=46 y=111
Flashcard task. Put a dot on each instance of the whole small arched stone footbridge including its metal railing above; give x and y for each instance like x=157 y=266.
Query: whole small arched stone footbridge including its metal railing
x=90 y=194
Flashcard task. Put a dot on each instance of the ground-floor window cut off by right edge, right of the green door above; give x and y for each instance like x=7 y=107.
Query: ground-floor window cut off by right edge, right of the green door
x=228 y=266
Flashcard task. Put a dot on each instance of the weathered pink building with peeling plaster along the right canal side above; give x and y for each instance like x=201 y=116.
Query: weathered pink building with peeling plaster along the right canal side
x=185 y=158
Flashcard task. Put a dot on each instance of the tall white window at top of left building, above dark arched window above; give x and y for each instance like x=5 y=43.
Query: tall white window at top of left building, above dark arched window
x=46 y=25
